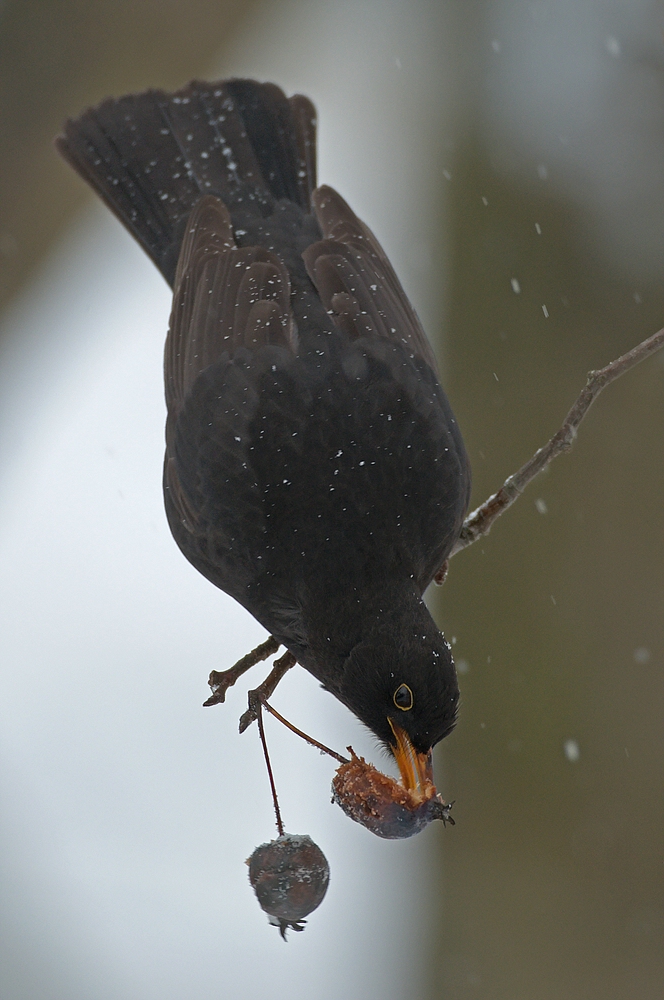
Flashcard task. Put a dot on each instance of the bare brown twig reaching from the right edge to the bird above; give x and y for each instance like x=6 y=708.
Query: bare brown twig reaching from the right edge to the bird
x=480 y=521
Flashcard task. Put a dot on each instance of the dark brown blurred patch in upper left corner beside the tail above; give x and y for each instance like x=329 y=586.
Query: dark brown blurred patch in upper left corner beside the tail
x=56 y=58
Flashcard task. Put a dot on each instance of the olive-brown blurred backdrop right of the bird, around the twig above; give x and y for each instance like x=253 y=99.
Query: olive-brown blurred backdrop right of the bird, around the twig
x=552 y=880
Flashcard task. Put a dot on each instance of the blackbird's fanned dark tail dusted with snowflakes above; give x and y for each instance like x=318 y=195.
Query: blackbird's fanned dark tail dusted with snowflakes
x=151 y=156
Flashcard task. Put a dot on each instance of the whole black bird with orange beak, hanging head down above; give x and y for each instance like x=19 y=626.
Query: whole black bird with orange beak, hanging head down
x=314 y=469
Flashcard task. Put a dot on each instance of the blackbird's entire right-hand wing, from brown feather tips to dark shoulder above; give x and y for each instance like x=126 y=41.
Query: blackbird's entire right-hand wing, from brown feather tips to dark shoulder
x=358 y=286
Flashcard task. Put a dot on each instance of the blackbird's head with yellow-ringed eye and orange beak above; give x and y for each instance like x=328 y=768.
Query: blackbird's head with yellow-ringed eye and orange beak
x=405 y=690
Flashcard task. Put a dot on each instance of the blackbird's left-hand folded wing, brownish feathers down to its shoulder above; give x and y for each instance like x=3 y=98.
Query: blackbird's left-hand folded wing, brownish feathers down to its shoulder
x=226 y=298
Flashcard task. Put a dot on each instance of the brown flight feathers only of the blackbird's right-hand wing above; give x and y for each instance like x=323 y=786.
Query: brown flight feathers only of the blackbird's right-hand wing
x=356 y=281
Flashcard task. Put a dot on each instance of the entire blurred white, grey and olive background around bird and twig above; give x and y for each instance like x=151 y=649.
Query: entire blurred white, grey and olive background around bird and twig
x=510 y=157
